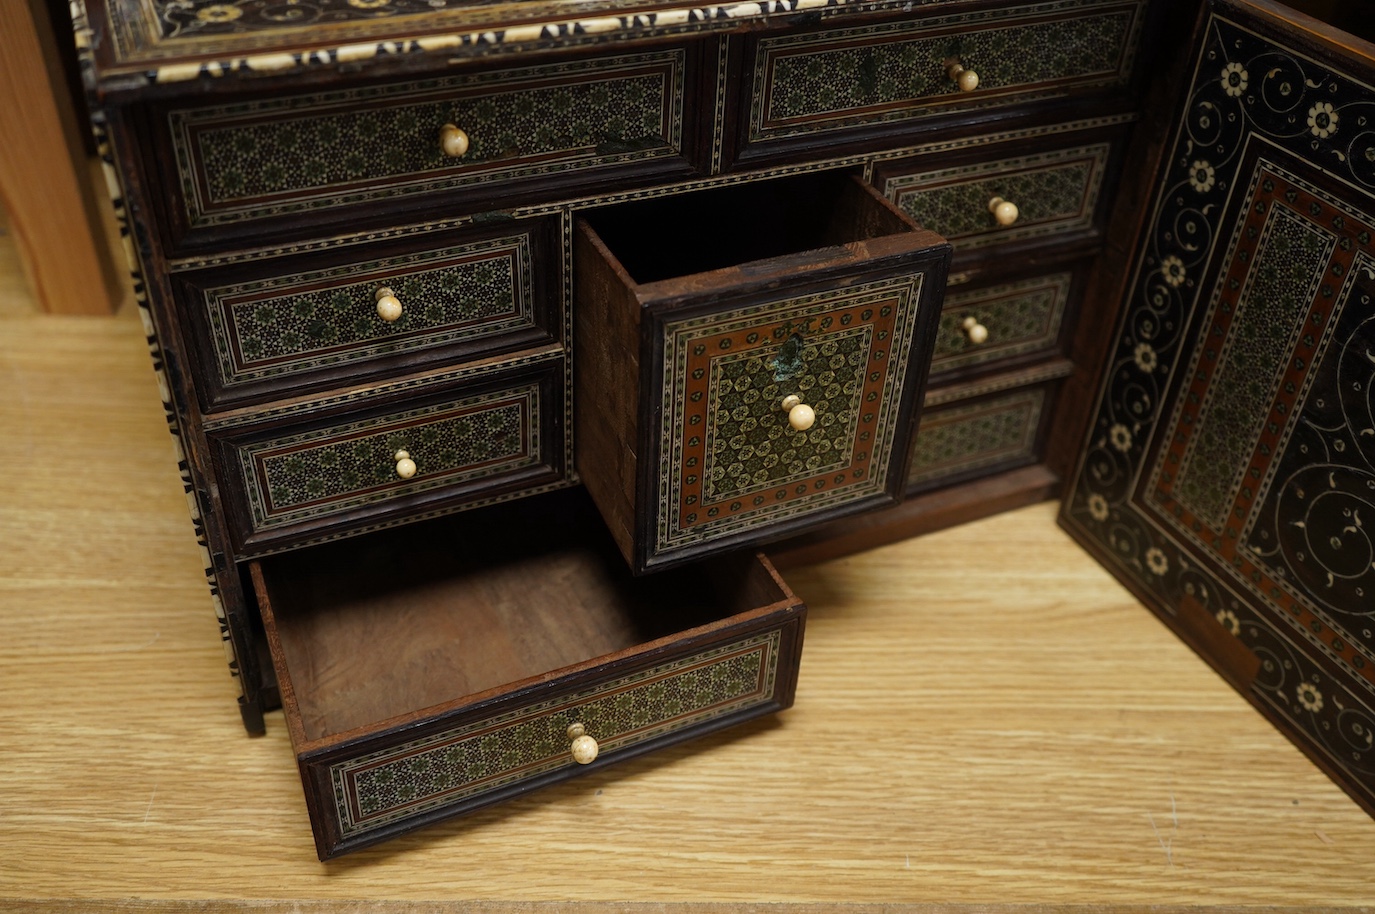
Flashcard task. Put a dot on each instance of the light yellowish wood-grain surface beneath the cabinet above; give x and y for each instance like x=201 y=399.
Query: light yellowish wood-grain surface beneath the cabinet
x=985 y=722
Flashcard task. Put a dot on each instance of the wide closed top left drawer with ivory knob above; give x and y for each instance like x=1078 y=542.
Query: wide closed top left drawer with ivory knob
x=525 y=130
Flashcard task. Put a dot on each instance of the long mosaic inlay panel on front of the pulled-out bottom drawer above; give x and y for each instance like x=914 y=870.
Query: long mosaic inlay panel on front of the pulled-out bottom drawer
x=454 y=765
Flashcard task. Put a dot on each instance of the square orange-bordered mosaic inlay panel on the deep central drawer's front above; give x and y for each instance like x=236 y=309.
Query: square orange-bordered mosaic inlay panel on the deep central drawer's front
x=732 y=461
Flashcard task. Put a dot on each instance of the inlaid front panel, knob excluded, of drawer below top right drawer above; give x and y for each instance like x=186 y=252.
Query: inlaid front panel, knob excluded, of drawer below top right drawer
x=1057 y=193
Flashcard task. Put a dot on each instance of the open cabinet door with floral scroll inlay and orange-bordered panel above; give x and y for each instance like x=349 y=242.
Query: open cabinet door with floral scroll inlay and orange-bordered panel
x=1231 y=464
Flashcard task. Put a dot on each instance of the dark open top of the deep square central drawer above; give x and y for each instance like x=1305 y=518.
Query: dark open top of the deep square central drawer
x=702 y=232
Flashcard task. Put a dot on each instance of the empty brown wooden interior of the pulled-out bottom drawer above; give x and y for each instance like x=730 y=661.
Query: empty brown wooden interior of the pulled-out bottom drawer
x=376 y=630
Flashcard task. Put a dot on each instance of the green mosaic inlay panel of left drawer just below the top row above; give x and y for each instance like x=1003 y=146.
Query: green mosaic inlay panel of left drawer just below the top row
x=314 y=320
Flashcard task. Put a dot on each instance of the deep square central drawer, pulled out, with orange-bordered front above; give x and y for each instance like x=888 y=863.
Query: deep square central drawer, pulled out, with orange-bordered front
x=702 y=320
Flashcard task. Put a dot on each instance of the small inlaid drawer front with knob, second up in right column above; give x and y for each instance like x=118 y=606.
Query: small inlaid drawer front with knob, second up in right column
x=1000 y=322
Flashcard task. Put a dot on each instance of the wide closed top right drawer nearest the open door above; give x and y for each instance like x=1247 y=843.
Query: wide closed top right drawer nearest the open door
x=872 y=80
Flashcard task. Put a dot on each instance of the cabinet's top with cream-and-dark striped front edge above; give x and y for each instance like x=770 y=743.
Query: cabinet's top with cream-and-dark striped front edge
x=133 y=45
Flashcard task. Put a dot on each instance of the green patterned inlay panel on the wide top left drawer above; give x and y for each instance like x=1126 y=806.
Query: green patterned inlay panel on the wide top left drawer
x=383 y=141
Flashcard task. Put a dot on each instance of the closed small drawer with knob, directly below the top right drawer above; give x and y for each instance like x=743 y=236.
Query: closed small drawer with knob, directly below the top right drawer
x=1054 y=193
